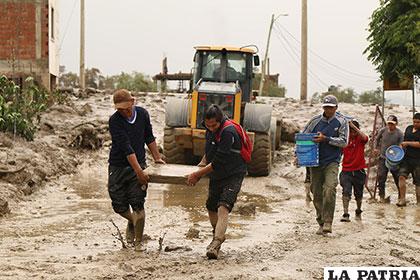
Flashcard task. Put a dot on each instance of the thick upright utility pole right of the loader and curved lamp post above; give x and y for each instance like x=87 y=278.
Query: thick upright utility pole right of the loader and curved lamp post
x=304 y=53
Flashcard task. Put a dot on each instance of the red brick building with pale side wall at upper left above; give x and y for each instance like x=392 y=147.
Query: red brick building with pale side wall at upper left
x=29 y=40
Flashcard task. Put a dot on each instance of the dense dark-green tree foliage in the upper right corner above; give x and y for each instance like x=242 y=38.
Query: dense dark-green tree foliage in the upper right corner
x=394 y=38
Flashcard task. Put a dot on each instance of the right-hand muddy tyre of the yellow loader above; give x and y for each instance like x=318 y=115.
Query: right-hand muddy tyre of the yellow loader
x=260 y=164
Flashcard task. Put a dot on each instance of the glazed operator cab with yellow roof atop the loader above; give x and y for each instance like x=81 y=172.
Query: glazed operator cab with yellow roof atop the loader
x=225 y=65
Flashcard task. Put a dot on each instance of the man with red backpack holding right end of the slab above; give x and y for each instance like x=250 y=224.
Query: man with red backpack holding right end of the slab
x=223 y=162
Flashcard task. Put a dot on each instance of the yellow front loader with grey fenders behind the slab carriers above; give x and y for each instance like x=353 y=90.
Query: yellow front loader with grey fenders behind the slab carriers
x=223 y=76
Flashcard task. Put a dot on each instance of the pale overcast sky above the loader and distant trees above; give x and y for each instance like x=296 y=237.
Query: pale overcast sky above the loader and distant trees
x=134 y=35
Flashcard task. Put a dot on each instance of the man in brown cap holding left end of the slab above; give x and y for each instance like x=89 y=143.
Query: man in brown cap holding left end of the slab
x=130 y=130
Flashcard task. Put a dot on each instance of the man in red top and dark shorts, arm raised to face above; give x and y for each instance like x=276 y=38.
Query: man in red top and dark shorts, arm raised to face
x=353 y=174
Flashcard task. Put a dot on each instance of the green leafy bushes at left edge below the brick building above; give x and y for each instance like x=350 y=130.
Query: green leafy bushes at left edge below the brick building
x=18 y=107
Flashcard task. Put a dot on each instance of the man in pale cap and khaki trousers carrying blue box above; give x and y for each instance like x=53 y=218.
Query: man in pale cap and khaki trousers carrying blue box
x=333 y=135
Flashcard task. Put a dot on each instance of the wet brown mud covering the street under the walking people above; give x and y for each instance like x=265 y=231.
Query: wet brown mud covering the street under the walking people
x=63 y=230
